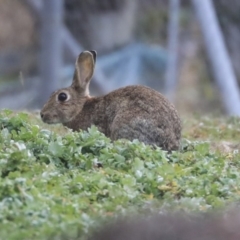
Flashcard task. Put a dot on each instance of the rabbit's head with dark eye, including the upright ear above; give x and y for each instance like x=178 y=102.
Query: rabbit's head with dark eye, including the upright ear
x=64 y=104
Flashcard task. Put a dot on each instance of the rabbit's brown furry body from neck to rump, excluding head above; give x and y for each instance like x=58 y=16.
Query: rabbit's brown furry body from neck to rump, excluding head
x=132 y=112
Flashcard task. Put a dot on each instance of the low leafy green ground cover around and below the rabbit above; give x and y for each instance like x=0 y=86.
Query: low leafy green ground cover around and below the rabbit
x=56 y=184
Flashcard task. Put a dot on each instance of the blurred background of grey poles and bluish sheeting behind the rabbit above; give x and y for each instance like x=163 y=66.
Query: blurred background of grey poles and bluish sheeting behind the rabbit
x=173 y=46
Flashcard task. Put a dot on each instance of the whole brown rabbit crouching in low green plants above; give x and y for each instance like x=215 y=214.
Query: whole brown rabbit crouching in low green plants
x=132 y=112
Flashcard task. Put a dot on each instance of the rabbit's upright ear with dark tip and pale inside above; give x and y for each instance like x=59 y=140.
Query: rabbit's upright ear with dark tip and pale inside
x=84 y=68
